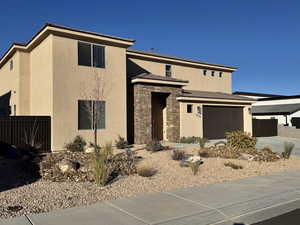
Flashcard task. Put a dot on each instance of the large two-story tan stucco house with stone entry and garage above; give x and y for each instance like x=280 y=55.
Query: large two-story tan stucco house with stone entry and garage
x=148 y=95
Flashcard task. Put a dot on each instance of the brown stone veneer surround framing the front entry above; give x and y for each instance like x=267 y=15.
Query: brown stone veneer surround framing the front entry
x=142 y=112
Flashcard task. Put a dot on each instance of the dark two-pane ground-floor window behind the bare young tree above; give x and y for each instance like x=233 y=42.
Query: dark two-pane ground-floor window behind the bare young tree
x=89 y=109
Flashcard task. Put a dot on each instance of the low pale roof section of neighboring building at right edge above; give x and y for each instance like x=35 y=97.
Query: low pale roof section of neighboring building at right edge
x=282 y=109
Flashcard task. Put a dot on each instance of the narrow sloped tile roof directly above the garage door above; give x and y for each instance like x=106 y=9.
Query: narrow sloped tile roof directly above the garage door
x=217 y=95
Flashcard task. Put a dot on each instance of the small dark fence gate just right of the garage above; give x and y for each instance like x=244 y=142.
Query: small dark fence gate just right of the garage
x=264 y=127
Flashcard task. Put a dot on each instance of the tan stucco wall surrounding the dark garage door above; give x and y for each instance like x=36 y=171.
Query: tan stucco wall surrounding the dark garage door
x=192 y=125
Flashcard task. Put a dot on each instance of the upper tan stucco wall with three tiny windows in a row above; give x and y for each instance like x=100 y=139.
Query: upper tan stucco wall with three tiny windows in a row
x=197 y=81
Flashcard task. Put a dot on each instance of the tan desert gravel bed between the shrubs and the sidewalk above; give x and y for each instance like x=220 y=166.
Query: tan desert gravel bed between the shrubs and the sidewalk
x=44 y=196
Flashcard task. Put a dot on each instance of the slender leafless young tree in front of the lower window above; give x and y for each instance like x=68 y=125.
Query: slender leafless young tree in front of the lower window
x=93 y=91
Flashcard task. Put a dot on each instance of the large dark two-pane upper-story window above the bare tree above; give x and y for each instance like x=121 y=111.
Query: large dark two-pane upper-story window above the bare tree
x=91 y=55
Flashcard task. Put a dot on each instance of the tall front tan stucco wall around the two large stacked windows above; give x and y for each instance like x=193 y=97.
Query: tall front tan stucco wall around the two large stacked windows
x=68 y=82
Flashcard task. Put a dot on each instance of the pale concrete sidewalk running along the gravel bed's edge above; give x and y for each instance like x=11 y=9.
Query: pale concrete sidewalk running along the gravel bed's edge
x=243 y=201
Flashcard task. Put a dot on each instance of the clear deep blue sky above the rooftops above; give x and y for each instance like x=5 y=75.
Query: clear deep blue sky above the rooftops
x=262 y=38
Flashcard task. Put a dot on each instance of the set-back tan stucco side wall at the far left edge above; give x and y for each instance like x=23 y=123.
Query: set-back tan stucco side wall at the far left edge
x=10 y=80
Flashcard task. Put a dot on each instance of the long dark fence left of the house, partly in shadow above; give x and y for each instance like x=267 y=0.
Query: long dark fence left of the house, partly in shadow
x=15 y=130
